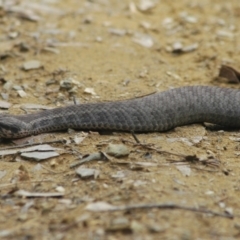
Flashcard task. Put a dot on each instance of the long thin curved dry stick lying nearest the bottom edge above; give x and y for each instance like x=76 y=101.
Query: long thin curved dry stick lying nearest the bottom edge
x=167 y=206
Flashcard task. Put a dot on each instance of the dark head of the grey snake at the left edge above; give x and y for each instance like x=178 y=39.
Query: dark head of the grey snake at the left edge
x=12 y=127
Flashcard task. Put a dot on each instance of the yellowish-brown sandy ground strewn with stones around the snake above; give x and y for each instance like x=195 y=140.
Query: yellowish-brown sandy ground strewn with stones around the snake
x=121 y=49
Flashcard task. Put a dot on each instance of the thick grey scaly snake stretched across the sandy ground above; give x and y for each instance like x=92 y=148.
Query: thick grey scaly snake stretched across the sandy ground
x=156 y=112
